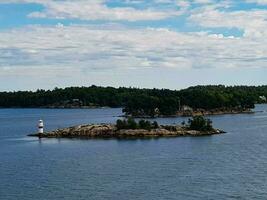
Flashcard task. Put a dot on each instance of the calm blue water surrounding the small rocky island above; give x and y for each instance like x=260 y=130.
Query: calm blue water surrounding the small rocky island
x=229 y=166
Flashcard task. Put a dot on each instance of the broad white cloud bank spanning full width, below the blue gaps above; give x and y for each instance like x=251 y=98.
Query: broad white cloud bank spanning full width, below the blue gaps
x=103 y=48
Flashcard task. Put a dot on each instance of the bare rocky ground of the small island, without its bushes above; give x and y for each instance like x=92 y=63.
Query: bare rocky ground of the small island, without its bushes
x=110 y=131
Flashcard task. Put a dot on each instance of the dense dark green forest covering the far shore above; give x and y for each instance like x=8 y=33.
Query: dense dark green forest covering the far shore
x=136 y=101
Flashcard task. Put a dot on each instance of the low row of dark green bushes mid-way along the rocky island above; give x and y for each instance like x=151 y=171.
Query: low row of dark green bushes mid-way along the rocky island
x=130 y=123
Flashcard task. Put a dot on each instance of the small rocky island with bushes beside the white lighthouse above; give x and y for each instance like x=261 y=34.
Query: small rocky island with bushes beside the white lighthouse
x=129 y=128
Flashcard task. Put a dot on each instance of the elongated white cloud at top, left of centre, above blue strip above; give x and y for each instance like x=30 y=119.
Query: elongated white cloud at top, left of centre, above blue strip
x=94 y=10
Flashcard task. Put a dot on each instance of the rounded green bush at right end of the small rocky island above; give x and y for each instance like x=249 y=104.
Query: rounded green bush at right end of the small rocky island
x=199 y=123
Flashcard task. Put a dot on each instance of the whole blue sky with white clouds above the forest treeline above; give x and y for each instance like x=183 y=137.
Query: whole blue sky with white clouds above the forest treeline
x=139 y=43
